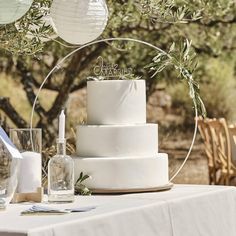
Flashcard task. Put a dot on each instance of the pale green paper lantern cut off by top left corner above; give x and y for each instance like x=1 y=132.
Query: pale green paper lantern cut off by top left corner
x=12 y=10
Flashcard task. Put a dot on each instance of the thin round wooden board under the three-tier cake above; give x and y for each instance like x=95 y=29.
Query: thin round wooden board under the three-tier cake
x=134 y=190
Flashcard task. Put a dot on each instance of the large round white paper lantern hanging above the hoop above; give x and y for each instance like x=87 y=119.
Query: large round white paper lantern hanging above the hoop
x=79 y=21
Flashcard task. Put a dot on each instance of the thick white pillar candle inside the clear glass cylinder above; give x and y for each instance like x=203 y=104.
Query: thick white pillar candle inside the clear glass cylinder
x=30 y=174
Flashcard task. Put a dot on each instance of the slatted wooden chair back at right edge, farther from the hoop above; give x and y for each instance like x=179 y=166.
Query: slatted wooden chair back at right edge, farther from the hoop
x=222 y=150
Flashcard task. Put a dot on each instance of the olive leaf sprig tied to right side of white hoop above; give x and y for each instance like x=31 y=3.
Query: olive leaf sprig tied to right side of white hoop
x=184 y=60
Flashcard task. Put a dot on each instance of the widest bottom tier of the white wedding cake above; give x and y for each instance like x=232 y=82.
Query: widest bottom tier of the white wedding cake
x=124 y=173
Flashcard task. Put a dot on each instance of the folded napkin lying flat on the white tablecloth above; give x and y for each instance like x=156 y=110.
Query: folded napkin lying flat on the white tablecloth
x=40 y=210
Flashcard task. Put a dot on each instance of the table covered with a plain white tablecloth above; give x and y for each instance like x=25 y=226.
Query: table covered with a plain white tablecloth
x=186 y=210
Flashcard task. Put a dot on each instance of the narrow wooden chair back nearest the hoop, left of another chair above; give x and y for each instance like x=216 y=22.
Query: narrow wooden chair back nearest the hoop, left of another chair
x=204 y=130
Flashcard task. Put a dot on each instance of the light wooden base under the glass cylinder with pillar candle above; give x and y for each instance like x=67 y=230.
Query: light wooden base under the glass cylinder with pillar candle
x=28 y=197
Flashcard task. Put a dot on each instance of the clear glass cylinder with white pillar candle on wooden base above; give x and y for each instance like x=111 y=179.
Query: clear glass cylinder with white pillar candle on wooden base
x=29 y=143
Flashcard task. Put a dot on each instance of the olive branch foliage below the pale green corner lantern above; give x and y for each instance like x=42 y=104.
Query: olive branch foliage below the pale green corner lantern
x=26 y=36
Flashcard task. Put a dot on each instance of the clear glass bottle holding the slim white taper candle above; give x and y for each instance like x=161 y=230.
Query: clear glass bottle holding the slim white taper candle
x=61 y=176
